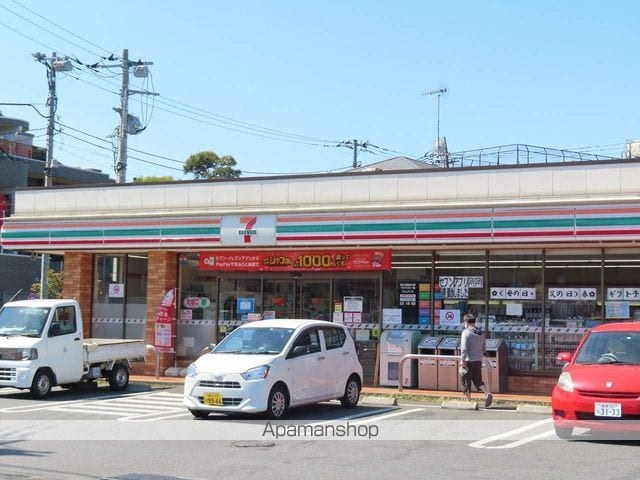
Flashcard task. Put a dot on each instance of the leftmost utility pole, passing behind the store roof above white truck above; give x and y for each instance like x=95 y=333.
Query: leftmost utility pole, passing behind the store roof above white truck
x=53 y=64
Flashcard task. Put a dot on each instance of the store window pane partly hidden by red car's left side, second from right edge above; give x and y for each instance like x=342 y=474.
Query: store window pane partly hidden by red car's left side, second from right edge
x=573 y=298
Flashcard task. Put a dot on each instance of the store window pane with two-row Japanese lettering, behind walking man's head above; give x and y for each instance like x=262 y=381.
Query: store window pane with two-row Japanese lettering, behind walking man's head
x=459 y=288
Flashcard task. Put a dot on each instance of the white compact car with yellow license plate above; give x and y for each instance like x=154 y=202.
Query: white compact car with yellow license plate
x=271 y=365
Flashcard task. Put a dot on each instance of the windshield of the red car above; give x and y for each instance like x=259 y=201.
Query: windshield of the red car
x=610 y=347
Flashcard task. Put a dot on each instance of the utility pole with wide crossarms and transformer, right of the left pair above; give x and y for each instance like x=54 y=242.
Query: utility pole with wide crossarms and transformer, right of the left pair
x=128 y=123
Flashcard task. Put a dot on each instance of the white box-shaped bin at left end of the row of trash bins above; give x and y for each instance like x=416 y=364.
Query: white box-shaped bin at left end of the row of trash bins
x=395 y=344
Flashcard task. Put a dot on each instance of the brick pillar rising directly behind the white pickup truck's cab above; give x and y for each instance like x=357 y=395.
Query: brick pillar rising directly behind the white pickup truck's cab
x=78 y=284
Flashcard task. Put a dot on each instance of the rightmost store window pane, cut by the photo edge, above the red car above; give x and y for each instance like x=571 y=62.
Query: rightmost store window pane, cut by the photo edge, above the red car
x=622 y=284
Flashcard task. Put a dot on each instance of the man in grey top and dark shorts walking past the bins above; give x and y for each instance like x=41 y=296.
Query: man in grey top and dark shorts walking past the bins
x=472 y=351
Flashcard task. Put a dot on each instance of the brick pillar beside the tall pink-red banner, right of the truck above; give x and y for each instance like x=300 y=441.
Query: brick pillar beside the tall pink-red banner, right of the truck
x=162 y=275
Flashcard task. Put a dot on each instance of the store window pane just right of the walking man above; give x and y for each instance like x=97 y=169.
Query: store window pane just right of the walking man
x=515 y=305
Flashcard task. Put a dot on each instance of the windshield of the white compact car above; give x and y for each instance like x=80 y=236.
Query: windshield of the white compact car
x=255 y=340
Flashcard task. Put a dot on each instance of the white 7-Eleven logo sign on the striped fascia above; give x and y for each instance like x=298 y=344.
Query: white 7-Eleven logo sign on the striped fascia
x=248 y=230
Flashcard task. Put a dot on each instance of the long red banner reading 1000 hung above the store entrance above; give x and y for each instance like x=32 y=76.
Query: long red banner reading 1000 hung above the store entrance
x=295 y=260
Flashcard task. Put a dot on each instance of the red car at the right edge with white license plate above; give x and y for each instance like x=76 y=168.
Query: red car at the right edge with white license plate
x=600 y=383
